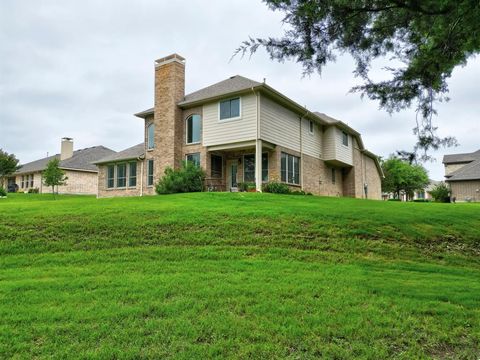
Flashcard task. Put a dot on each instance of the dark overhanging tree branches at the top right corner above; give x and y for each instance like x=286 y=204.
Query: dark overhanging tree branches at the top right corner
x=427 y=39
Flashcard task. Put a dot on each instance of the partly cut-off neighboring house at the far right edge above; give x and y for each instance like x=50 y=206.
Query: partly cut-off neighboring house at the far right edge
x=462 y=173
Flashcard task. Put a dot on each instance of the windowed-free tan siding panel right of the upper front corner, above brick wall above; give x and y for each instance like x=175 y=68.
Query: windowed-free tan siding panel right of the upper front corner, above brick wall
x=279 y=125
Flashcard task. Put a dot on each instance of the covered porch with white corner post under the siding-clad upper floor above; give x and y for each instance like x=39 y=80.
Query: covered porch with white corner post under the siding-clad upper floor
x=249 y=164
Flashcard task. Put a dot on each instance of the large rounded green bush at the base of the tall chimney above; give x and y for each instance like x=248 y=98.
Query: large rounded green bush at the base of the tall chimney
x=189 y=178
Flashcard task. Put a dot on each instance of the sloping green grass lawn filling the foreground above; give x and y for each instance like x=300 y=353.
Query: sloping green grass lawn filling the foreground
x=238 y=275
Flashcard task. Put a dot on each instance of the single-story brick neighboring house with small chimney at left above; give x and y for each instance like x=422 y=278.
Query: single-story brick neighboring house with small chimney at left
x=78 y=165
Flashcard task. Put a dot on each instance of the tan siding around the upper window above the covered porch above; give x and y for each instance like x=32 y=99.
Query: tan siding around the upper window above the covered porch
x=217 y=132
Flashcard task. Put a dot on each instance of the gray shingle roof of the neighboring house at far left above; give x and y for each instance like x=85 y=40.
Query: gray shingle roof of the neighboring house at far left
x=81 y=160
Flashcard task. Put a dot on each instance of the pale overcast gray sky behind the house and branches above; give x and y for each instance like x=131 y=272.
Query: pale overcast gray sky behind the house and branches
x=82 y=68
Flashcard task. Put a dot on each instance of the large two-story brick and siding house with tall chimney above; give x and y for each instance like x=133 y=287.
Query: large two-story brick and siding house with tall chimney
x=240 y=130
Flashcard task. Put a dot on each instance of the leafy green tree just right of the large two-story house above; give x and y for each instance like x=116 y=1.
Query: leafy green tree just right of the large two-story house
x=400 y=176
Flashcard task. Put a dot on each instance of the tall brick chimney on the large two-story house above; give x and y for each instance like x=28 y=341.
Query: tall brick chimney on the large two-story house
x=169 y=91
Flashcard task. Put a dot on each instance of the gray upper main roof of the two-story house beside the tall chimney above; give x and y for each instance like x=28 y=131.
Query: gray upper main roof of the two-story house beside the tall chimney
x=231 y=85
